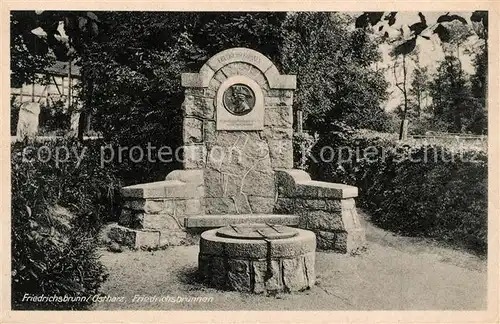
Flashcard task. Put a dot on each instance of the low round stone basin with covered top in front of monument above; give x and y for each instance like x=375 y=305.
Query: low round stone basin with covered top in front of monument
x=258 y=258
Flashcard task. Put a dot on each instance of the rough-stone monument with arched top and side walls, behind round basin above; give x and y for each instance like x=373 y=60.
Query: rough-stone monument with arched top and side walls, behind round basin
x=238 y=165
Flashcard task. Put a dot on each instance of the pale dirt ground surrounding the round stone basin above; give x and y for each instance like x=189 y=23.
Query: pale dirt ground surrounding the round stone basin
x=394 y=273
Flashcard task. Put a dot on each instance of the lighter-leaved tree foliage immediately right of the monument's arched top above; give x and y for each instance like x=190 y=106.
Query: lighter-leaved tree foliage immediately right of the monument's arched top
x=333 y=66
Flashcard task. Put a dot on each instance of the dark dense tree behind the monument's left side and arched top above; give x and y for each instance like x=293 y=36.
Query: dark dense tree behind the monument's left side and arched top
x=134 y=66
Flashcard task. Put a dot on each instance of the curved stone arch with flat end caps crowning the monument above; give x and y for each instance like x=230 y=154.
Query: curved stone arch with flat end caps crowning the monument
x=239 y=54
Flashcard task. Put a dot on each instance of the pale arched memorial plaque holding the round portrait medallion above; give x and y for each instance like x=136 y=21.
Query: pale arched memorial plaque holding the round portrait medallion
x=240 y=105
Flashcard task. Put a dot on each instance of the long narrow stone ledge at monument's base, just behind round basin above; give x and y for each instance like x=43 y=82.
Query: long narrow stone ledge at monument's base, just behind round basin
x=211 y=221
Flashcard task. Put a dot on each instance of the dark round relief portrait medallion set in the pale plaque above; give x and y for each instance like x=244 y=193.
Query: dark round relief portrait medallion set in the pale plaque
x=239 y=99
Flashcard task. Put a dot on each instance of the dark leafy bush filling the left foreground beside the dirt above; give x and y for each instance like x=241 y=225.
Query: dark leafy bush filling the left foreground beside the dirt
x=57 y=212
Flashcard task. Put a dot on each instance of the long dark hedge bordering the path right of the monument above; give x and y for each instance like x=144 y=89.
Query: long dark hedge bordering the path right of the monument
x=418 y=190
